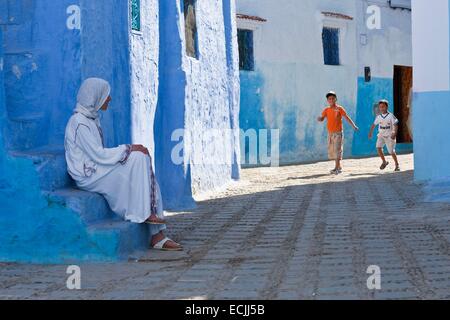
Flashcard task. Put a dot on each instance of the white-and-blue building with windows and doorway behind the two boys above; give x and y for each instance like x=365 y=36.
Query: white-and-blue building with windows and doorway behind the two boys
x=293 y=52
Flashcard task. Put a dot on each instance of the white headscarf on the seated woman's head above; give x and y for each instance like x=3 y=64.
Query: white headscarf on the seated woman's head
x=91 y=97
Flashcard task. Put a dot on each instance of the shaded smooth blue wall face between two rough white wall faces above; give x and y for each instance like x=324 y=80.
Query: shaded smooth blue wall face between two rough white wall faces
x=175 y=180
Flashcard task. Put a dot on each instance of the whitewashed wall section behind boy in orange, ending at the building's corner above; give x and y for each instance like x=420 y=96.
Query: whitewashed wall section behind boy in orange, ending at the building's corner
x=289 y=55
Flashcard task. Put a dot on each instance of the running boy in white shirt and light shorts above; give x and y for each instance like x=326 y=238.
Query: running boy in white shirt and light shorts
x=387 y=133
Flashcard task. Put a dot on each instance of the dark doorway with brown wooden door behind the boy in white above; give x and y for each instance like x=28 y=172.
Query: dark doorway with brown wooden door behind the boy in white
x=403 y=82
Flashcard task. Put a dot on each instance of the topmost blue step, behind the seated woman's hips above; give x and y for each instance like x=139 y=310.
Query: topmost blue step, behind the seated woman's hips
x=50 y=166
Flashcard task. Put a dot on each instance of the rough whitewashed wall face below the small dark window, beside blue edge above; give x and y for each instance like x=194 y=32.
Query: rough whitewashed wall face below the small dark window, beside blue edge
x=210 y=100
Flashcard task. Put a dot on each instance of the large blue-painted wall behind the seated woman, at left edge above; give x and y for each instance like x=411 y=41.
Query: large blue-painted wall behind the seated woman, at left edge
x=44 y=65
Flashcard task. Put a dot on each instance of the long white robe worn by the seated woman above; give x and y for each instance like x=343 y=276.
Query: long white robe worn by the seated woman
x=121 y=176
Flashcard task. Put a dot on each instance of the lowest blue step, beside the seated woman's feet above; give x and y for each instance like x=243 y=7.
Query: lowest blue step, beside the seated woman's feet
x=120 y=239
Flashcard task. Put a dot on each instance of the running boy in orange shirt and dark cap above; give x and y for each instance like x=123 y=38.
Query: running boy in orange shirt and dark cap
x=334 y=114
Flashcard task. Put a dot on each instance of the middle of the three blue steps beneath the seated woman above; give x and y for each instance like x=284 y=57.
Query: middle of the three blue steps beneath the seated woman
x=91 y=207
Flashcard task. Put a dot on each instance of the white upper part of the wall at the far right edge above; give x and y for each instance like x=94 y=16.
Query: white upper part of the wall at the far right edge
x=431 y=47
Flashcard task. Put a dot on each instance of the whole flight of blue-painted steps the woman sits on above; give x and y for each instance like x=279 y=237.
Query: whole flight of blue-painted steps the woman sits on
x=111 y=238
